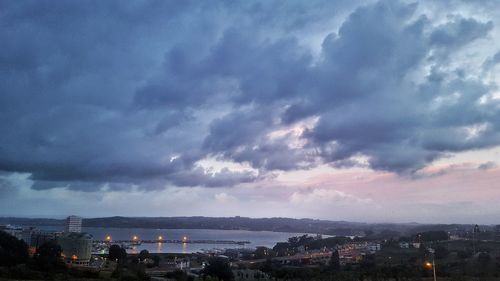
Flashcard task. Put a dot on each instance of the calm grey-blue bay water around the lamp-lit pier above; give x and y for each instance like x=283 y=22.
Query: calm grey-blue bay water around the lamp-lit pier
x=256 y=238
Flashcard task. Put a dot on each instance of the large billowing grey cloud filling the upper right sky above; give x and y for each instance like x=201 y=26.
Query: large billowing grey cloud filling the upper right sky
x=376 y=111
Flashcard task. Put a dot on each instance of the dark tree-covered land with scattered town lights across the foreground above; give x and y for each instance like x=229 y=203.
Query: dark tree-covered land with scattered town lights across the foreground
x=394 y=257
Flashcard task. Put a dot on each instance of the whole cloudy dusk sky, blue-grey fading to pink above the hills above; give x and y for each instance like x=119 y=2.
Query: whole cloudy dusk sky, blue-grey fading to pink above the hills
x=370 y=111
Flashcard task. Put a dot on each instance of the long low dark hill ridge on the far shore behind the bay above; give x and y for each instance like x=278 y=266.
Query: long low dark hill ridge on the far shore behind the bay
x=241 y=223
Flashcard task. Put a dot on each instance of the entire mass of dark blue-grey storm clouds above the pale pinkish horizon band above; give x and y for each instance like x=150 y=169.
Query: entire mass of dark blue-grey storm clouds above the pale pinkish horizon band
x=112 y=95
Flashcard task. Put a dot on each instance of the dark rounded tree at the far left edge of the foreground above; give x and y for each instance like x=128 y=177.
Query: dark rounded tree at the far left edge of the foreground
x=12 y=250
